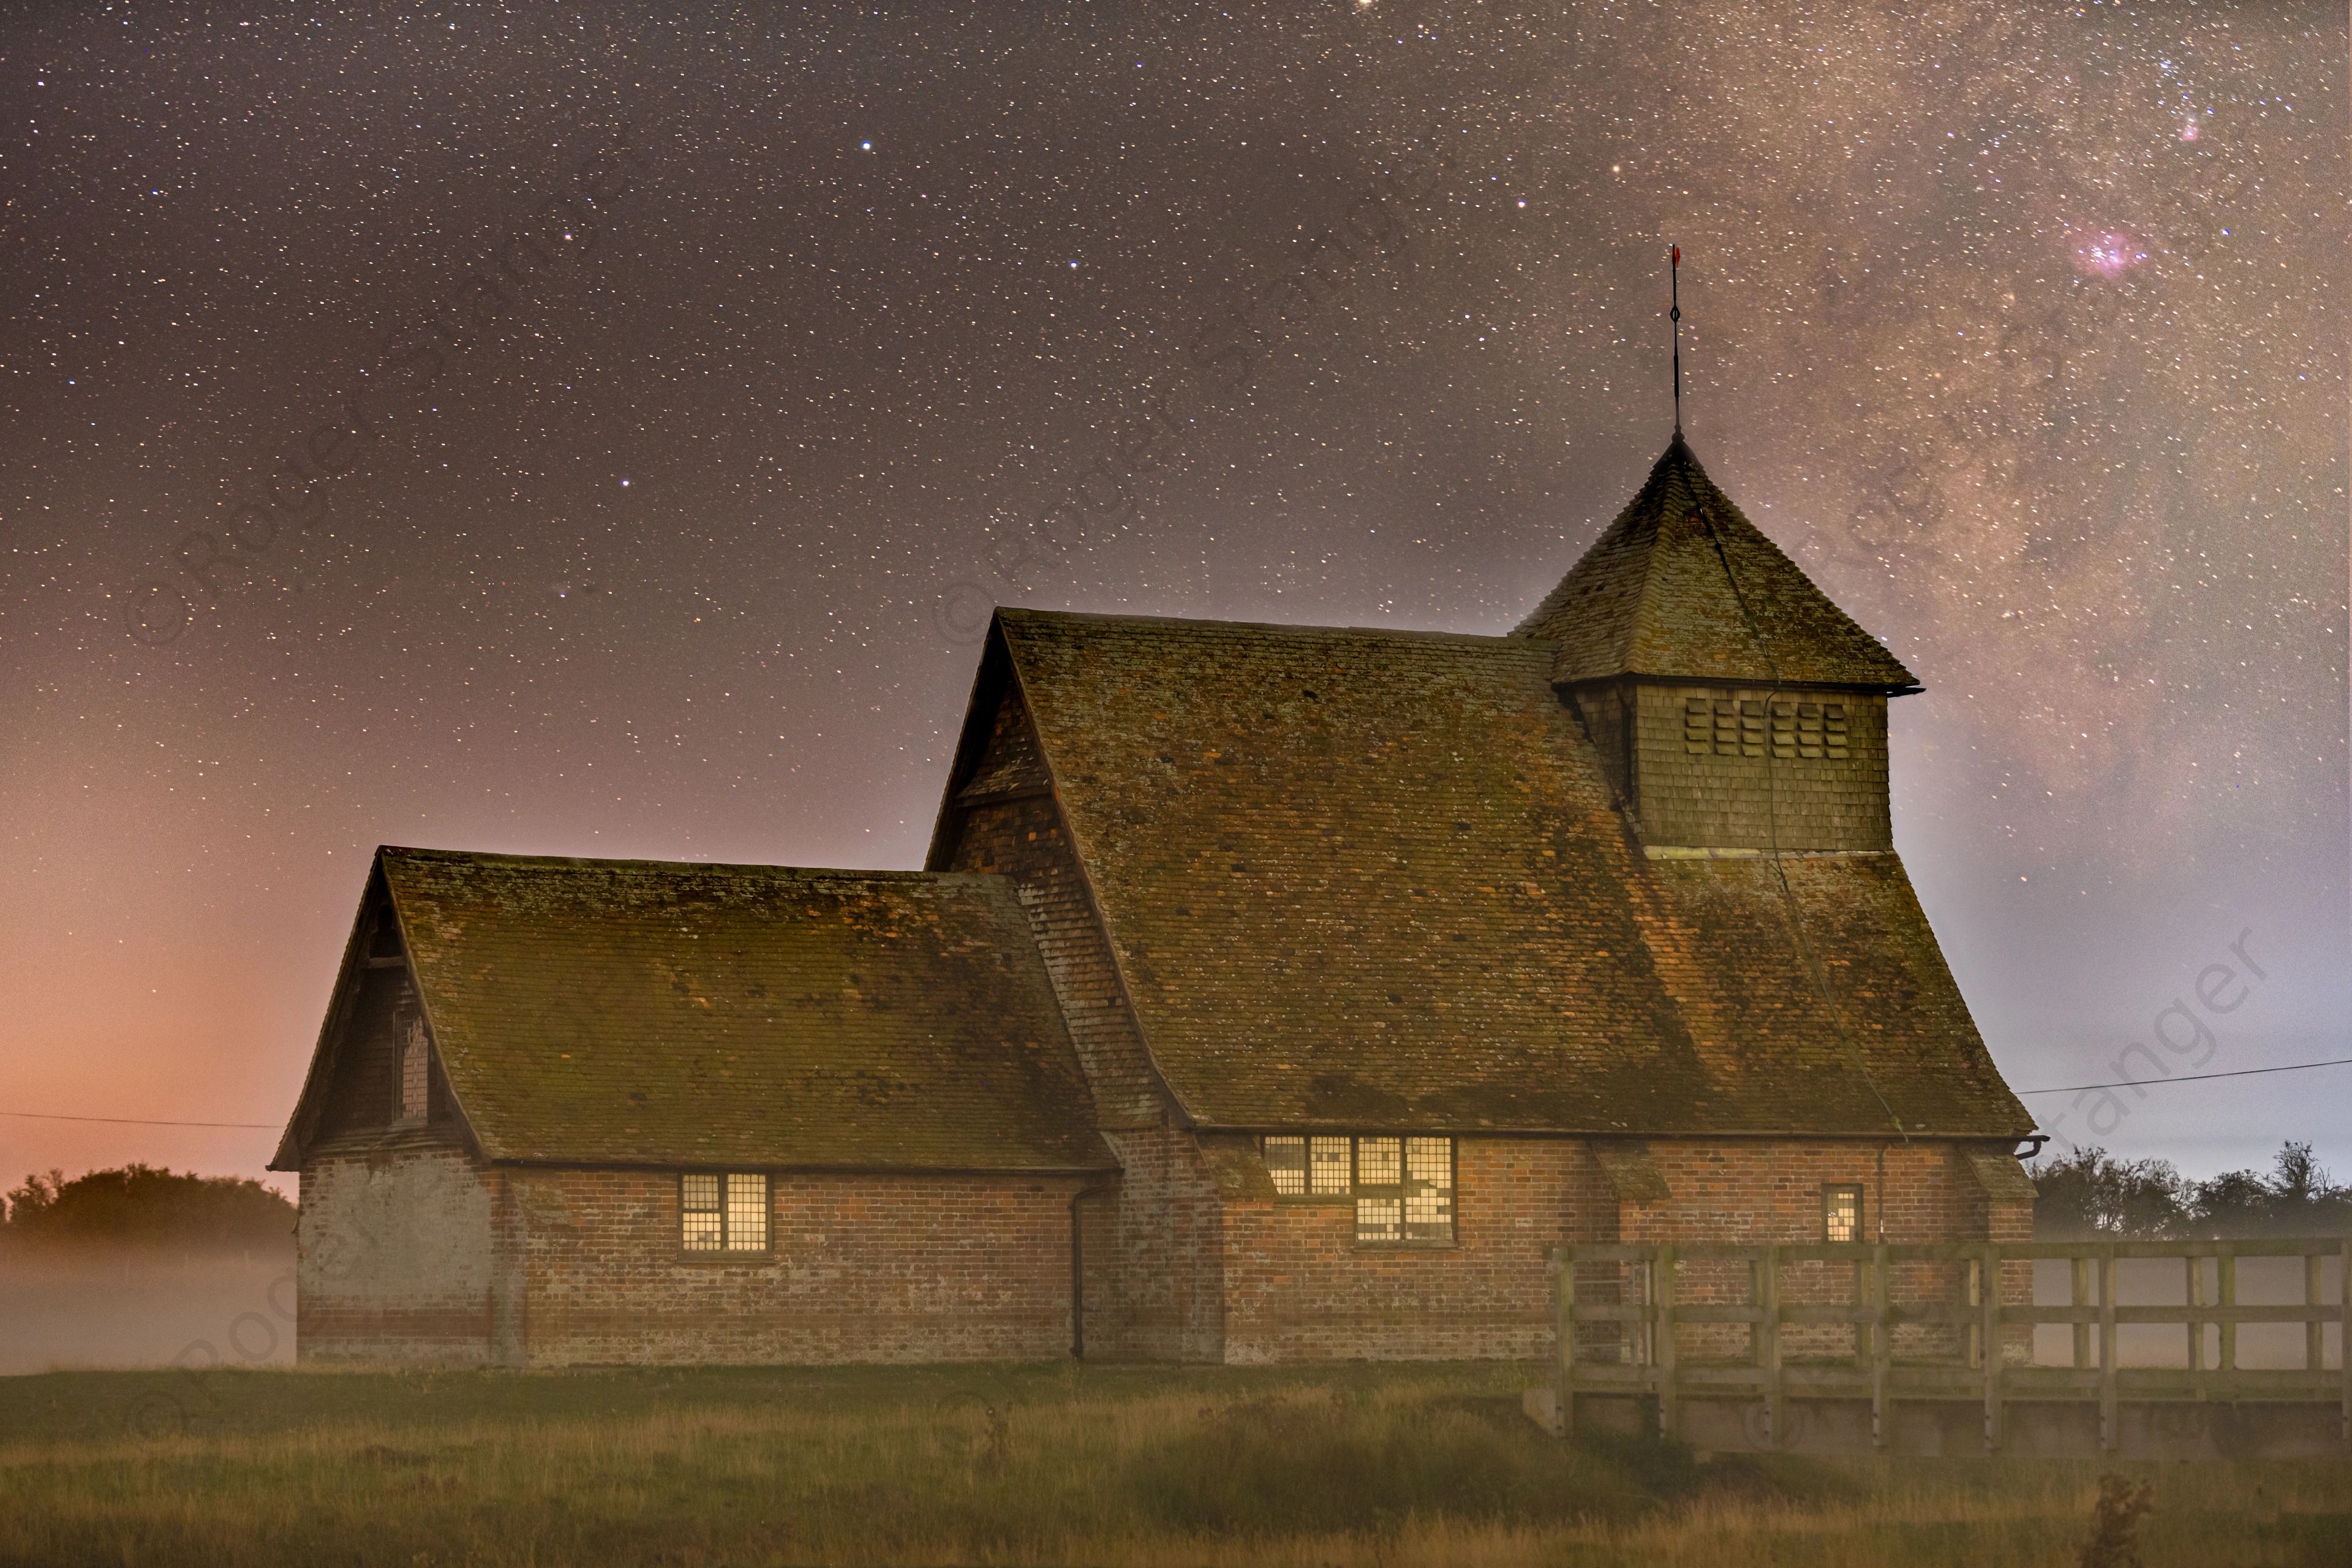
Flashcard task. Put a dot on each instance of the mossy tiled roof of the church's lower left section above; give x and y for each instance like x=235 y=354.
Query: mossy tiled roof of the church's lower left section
x=636 y=1012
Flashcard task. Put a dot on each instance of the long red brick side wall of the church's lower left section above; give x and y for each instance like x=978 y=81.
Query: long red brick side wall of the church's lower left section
x=864 y=1268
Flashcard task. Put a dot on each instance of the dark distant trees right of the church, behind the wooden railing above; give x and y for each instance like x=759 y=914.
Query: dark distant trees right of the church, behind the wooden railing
x=2094 y=1198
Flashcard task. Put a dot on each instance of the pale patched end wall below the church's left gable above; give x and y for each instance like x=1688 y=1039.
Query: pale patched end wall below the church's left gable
x=394 y=1257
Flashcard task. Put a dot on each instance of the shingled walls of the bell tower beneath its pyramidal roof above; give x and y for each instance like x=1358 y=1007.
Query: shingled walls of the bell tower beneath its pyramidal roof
x=1728 y=803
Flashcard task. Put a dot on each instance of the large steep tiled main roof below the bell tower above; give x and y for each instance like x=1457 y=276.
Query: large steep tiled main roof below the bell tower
x=1370 y=878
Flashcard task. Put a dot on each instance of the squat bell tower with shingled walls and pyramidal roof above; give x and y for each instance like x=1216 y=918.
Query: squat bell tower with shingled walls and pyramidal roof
x=1735 y=706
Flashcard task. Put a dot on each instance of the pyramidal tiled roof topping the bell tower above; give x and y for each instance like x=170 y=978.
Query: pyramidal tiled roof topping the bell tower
x=1662 y=594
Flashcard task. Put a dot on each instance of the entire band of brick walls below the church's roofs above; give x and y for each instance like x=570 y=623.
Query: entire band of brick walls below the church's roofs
x=417 y=1257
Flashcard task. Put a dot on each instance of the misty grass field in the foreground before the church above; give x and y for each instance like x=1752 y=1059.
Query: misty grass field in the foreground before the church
x=1017 y=1466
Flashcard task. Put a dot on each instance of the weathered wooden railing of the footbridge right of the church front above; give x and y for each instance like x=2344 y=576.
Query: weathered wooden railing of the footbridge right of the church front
x=1626 y=1341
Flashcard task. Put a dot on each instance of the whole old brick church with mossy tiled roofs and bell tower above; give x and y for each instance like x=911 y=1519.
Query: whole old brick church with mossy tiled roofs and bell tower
x=1271 y=993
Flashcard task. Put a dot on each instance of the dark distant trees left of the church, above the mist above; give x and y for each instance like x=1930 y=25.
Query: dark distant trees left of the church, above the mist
x=147 y=1207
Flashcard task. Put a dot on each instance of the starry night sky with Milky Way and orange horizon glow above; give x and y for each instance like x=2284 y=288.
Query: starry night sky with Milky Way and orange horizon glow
x=601 y=431
